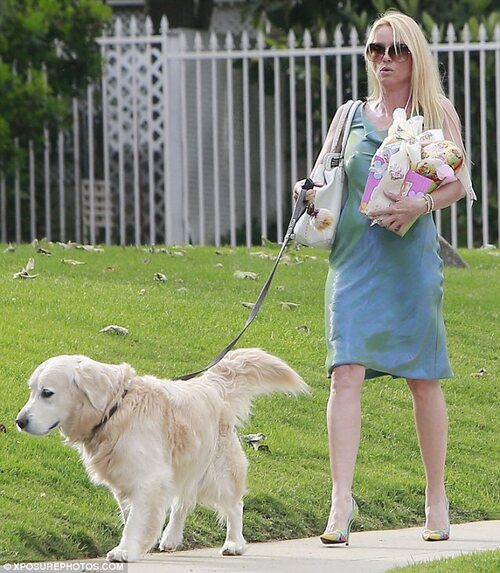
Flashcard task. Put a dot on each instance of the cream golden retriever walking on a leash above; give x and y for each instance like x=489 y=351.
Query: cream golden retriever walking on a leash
x=158 y=445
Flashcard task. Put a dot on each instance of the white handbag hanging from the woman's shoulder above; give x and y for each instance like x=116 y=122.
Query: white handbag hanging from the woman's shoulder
x=318 y=225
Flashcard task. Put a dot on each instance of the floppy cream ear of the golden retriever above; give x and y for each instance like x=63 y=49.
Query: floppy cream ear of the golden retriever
x=98 y=382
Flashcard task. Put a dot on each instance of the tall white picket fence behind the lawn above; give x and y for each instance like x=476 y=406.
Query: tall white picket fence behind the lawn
x=194 y=138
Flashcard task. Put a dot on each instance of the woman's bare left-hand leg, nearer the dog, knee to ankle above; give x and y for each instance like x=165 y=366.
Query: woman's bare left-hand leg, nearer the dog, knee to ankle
x=344 y=430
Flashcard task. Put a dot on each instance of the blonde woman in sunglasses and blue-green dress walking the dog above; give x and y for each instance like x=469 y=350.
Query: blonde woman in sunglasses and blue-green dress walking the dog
x=384 y=292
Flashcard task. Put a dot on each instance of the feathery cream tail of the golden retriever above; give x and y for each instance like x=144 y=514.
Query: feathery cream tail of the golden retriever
x=250 y=372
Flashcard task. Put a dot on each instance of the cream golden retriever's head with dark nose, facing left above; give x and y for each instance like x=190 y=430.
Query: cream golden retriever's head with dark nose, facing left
x=71 y=393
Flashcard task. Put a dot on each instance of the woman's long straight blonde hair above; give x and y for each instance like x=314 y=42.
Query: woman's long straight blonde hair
x=427 y=93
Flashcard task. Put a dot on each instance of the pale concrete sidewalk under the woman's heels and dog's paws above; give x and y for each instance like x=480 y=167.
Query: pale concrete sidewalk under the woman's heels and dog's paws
x=369 y=552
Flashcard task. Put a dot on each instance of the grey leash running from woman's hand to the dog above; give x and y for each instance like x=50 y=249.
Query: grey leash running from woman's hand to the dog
x=298 y=210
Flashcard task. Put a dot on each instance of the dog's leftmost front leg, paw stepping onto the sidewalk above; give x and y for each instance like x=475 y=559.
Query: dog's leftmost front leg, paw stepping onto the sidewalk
x=144 y=522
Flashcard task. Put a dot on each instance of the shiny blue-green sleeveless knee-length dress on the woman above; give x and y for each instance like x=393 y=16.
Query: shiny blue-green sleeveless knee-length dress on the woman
x=384 y=293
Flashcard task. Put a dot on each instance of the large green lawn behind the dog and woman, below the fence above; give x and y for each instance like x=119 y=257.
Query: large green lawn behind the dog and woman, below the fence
x=48 y=507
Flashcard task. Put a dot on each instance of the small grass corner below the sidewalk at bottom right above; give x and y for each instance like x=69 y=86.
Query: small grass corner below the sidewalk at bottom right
x=484 y=562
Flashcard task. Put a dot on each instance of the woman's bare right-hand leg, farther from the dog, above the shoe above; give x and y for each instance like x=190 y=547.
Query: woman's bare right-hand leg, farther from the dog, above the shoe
x=431 y=420
